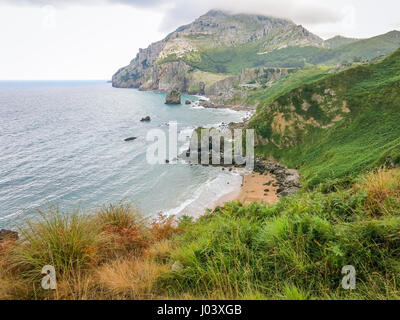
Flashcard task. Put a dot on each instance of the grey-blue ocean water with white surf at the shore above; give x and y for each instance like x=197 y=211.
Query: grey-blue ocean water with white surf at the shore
x=62 y=144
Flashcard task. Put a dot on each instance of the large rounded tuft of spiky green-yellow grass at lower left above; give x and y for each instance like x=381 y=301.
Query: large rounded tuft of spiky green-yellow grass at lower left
x=66 y=241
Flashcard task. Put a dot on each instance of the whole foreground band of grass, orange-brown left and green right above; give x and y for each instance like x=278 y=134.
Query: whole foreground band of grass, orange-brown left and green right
x=292 y=250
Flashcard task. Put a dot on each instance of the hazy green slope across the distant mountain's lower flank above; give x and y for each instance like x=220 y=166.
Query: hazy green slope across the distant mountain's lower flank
x=231 y=60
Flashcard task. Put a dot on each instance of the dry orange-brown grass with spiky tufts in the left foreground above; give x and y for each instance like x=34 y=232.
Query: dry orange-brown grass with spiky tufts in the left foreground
x=105 y=255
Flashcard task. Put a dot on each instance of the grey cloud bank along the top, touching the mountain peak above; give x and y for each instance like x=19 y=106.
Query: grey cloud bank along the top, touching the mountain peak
x=179 y=12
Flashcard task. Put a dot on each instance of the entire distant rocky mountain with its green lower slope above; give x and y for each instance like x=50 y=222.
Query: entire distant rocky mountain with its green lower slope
x=209 y=55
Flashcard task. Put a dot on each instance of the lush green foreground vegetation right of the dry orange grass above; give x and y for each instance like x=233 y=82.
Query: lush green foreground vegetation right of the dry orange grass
x=297 y=248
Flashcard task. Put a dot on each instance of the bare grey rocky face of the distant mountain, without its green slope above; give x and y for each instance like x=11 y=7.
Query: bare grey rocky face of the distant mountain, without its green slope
x=162 y=67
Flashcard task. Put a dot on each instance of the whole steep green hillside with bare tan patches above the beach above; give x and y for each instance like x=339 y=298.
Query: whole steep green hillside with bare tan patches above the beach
x=336 y=127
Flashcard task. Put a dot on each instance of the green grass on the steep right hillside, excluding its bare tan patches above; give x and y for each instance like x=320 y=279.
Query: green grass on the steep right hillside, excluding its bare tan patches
x=365 y=138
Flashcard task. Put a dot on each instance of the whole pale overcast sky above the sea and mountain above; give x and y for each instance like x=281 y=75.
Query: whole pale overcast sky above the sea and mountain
x=92 y=39
